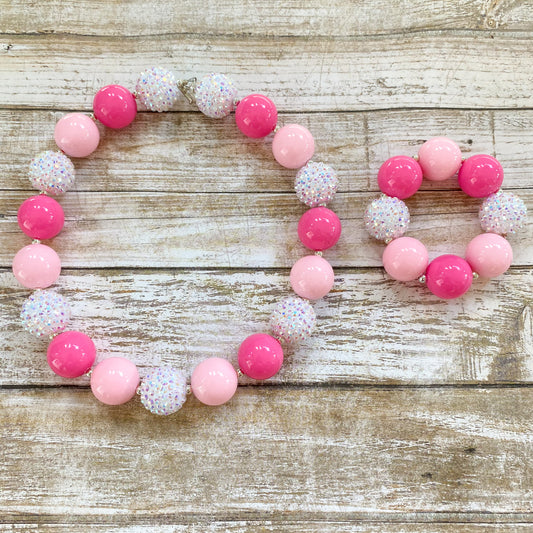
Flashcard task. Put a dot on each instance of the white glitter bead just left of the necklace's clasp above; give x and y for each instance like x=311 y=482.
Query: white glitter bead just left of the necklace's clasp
x=157 y=89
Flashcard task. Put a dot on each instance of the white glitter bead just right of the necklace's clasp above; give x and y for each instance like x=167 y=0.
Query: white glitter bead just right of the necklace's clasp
x=215 y=95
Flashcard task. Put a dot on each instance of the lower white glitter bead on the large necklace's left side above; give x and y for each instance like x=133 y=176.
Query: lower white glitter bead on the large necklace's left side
x=45 y=313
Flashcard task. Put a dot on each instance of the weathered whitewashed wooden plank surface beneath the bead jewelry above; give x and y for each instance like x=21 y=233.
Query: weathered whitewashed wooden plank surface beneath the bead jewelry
x=404 y=412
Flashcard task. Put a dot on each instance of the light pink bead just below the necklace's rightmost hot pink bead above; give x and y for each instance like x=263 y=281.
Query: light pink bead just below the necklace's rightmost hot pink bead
x=311 y=277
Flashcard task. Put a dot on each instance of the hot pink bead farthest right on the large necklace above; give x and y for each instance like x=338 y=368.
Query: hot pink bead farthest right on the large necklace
x=319 y=228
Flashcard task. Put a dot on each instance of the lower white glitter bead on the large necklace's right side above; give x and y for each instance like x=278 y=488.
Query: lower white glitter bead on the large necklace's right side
x=292 y=320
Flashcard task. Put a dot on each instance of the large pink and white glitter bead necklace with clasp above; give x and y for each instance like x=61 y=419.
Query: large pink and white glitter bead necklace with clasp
x=214 y=381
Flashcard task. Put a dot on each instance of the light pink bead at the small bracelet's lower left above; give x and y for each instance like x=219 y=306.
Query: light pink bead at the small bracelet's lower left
x=405 y=259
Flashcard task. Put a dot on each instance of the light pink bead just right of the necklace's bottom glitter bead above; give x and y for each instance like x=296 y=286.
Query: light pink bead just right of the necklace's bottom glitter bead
x=214 y=381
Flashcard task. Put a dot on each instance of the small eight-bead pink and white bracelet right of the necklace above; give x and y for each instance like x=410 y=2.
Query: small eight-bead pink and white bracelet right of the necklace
x=405 y=259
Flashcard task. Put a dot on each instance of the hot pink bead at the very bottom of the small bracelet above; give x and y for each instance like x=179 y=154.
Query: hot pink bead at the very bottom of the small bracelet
x=448 y=276
